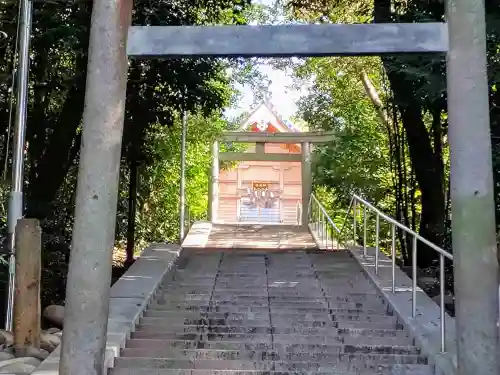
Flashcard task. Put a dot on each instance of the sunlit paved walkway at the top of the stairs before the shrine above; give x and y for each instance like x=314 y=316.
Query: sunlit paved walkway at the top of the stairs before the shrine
x=269 y=237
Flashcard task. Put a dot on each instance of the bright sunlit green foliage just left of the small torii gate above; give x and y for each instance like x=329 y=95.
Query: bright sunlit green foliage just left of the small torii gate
x=158 y=213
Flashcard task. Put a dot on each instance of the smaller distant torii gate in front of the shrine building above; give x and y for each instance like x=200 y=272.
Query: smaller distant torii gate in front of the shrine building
x=303 y=138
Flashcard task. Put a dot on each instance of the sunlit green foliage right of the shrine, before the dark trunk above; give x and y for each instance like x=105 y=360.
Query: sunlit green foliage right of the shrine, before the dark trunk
x=358 y=161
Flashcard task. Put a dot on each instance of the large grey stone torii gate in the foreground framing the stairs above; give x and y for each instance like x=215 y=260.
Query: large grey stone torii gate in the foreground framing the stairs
x=474 y=242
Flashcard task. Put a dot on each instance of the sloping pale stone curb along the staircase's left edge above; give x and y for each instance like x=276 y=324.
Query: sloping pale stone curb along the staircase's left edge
x=129 y=297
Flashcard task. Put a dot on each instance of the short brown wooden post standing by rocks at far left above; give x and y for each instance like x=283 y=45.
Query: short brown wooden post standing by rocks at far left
x=27 y=293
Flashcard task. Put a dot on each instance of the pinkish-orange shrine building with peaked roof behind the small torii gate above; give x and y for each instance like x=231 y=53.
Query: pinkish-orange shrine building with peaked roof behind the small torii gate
x=267 y=192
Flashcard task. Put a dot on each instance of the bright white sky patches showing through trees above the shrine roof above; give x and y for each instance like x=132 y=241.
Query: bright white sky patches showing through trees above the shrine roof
x=283 y=96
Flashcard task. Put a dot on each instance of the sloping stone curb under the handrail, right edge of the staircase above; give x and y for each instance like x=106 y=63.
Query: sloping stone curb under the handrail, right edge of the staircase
x=425 y=328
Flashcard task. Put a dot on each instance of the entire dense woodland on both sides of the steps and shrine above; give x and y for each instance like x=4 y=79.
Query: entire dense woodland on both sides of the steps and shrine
x=389 y=115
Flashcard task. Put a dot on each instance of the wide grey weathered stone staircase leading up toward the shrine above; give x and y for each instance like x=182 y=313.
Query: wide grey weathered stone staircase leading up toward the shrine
x=296 y=312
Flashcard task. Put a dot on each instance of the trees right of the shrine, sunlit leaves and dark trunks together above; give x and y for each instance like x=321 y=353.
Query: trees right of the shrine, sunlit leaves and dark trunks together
x=390 y=115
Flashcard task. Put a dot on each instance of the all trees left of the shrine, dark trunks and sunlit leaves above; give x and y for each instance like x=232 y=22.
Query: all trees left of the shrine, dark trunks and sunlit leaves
x=157 y=91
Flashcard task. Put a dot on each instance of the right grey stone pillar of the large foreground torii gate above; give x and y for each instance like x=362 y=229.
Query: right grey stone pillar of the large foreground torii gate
x=472 y=200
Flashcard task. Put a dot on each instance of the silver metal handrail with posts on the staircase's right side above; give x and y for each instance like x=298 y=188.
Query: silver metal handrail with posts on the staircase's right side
x=357 y=200
